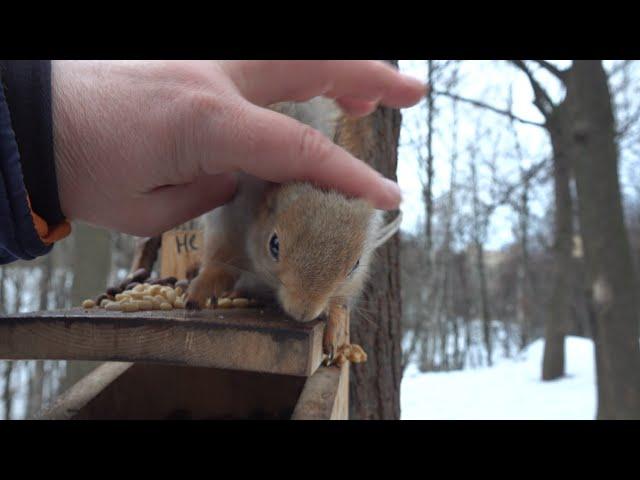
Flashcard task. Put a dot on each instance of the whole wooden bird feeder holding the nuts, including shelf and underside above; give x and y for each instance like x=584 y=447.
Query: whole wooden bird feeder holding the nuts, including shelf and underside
x=212 y=364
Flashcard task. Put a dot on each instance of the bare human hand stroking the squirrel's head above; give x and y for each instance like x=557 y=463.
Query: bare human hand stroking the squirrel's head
x=141 y=147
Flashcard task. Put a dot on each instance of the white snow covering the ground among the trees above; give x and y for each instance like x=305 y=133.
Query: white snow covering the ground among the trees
x=511 y=390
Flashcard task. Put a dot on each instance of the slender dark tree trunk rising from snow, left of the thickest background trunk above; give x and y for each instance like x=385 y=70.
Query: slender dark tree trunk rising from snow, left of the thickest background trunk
x=553 y=362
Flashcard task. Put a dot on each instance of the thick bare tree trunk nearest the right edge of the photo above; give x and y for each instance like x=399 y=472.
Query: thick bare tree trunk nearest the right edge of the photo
x=606 y=244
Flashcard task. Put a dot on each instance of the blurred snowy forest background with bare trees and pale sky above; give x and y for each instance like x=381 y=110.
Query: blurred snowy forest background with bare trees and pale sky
x=519 y=249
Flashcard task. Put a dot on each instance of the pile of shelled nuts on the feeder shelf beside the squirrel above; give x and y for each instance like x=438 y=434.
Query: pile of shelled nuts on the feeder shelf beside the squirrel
x=136 y=293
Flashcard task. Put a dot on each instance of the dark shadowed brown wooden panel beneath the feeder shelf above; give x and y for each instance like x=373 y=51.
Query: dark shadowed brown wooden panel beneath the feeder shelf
x=159 y=392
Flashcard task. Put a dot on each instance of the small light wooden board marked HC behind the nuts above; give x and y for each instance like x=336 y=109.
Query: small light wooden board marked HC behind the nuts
x=181 y=251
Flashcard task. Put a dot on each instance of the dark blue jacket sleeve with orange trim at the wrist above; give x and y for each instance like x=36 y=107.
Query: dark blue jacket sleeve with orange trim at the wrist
x=27 y=171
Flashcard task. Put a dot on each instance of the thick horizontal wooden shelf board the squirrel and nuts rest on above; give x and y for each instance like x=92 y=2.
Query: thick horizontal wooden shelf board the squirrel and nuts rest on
x=243 y=339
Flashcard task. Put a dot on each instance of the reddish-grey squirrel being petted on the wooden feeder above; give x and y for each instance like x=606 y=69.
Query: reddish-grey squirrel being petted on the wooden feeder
x=309 y=248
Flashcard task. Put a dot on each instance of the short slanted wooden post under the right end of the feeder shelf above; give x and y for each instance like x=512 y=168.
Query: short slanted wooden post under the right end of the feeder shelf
x=323 y=395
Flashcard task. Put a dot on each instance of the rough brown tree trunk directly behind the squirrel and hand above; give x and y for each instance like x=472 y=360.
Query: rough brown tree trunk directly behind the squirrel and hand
x=375 y=385
